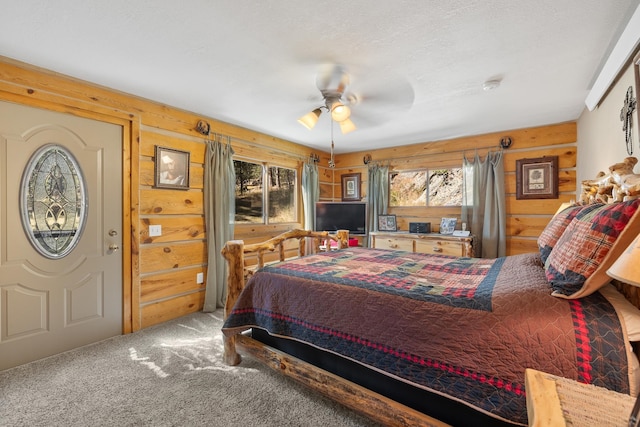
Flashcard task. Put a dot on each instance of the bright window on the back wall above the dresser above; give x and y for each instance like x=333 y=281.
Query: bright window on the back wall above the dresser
x=430 y=187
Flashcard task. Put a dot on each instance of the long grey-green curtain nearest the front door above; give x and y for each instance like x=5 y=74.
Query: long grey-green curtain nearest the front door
x=219 y=212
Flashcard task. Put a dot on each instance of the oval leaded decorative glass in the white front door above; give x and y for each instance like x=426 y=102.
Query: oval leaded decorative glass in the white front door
x=53 y=201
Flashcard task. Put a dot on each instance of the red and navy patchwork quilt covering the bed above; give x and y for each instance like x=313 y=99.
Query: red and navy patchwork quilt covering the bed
x=465 y=328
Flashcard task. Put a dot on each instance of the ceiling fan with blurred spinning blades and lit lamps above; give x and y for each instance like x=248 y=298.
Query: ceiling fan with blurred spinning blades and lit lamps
x=376 y=96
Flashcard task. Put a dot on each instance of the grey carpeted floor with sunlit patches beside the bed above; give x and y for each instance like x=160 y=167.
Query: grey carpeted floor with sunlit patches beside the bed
x=166 y=375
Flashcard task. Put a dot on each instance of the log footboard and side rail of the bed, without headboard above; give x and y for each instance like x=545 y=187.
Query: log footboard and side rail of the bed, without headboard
x=360 y=399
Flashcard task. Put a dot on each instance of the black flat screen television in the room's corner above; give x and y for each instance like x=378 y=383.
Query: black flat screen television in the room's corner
x=334 y=216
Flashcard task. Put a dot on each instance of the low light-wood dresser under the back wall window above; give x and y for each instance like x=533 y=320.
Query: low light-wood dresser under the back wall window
x=432 y=243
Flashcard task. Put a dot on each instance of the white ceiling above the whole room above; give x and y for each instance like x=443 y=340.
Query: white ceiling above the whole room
x=417 y=66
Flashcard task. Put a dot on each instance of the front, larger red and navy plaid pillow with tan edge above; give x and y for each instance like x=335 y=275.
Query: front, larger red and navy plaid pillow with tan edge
x=582 y=249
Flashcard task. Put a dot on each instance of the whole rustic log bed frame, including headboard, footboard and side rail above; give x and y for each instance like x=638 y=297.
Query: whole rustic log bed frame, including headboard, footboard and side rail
x=612 y=187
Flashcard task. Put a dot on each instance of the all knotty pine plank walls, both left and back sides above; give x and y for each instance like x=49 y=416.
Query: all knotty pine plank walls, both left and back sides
x=159 y=278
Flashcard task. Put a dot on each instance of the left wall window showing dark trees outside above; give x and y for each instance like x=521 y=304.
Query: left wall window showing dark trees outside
x=260 y=204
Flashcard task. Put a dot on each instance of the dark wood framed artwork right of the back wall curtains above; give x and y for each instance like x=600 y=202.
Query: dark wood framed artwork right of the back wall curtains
x=537 y=178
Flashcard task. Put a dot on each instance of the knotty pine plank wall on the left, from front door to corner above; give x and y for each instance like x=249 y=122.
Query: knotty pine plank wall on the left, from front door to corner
x=159 y=278
